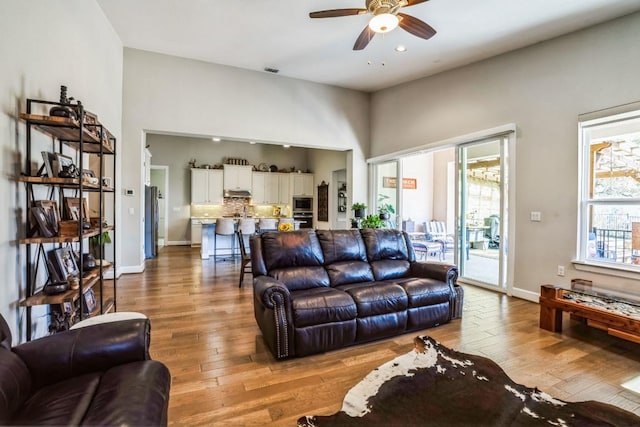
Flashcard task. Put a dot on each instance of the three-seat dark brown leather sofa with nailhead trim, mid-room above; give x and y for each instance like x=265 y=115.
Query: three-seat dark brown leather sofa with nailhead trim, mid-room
x=325 y=289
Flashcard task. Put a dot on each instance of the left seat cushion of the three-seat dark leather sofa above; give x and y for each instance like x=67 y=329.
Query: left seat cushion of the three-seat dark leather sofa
x=321 y=305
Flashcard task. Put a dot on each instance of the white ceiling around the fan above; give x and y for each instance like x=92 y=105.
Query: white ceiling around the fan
x=255 y=34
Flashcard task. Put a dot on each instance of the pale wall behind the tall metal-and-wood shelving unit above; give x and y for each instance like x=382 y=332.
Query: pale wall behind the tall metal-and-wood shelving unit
x=45 y=44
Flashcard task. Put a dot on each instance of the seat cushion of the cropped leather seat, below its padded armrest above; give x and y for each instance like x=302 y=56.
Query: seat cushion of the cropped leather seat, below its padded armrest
x=62 y=403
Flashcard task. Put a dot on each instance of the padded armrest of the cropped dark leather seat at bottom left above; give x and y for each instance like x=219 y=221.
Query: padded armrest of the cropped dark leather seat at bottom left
x=93 y=348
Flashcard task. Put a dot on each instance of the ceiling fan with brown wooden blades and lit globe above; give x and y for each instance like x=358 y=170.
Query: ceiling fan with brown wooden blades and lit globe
x=386 y=17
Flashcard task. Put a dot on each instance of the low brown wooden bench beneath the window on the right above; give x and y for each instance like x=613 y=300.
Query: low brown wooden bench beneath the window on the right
x=553 y=303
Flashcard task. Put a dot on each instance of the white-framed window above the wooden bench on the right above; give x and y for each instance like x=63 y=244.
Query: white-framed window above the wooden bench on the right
x=610 y=194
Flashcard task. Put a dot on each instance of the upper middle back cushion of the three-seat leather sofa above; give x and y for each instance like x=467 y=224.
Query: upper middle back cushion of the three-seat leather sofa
x=342 y=245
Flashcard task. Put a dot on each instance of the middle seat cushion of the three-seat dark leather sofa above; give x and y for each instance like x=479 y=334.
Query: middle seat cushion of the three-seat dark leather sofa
x=373 y=298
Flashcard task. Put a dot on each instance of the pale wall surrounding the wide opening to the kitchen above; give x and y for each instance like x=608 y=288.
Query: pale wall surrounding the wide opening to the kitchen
x=173 y=95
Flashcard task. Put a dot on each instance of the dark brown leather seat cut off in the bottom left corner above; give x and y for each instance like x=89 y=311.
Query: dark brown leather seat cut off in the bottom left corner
x=96 y=375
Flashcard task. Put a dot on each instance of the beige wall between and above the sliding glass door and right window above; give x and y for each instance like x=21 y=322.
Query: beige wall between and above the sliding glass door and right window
x=542 y=89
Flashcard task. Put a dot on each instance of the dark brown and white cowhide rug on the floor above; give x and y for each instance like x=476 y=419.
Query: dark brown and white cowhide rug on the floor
x=435 y=386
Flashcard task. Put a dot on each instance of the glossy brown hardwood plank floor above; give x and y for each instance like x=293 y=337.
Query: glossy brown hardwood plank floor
x=203 y=329
